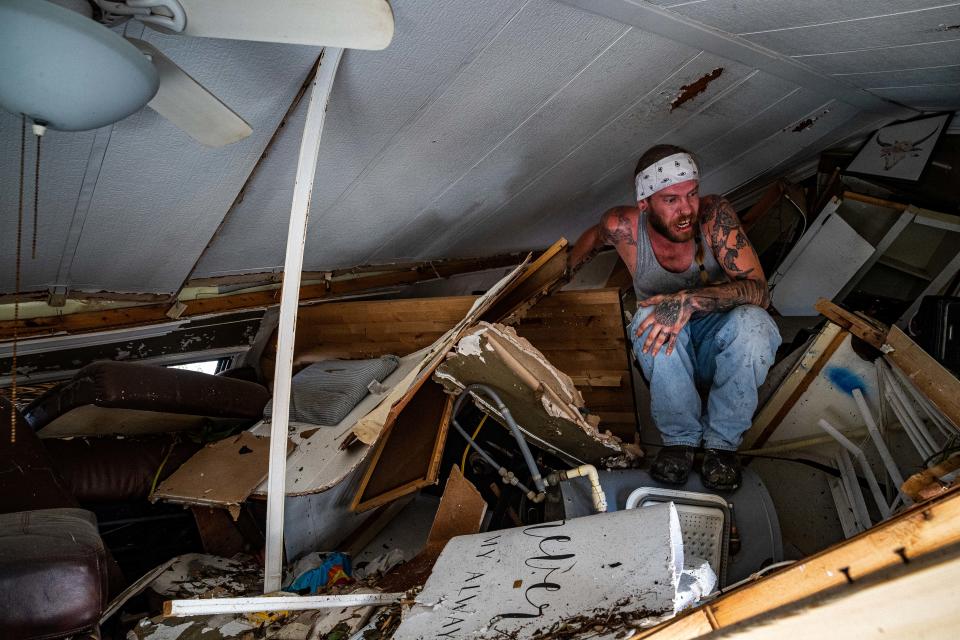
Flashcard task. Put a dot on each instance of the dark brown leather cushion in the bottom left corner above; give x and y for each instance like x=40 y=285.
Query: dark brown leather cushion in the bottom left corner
x=53 y=576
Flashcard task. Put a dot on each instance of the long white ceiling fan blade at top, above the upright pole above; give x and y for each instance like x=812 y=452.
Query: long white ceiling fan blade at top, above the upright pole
x=349 y=24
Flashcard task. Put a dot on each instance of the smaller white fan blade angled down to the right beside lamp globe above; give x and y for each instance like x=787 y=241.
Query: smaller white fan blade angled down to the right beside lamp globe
x=187 y=104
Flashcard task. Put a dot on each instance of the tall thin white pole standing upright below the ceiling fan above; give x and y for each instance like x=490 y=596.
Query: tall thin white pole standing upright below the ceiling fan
x=289 y=298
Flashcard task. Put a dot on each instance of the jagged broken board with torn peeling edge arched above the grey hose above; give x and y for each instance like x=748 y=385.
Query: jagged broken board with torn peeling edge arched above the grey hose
x=543 y=400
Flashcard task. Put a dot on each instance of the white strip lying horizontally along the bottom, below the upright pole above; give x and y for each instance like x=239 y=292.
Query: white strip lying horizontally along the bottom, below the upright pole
x=215 y=606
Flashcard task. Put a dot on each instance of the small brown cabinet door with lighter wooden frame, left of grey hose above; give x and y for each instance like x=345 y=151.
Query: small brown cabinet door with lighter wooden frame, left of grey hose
x=407 y=455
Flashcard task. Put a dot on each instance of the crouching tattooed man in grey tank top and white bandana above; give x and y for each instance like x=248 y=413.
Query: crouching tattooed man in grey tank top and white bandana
x=701 y=320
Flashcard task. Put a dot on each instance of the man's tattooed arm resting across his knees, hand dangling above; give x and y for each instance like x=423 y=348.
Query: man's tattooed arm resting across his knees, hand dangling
x=735 y=254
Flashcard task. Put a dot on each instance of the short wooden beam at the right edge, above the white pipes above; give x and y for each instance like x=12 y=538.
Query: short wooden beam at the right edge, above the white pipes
x=928 y=375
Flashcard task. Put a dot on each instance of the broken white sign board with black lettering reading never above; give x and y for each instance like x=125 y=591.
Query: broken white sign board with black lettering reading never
x=520 y=582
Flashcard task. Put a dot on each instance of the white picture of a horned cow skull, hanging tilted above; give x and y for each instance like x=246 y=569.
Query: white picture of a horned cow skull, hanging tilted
x=900 y=150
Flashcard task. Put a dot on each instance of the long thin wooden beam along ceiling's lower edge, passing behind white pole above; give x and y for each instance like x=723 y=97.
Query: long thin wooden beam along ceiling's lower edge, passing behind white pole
x=107 y=319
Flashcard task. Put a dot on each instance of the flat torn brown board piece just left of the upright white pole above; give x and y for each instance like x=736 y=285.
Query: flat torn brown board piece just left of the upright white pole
x=221 y=474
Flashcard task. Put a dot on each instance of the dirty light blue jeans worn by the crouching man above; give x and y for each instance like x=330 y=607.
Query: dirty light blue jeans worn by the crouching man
x=731 y=352
